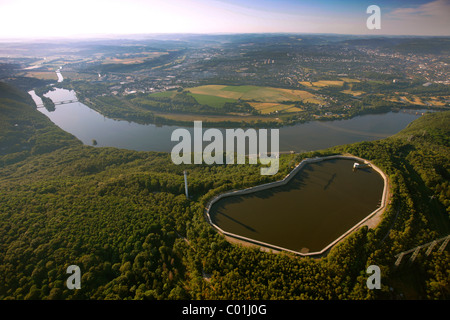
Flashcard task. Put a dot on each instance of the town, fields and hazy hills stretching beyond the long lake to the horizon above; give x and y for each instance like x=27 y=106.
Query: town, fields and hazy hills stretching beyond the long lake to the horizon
x=339 y=76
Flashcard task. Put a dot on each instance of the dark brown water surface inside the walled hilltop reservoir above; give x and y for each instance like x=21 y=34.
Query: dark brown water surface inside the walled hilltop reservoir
x=318 y=205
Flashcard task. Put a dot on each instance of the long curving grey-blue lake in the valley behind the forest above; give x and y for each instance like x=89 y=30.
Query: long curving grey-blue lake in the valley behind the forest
x=87 y=124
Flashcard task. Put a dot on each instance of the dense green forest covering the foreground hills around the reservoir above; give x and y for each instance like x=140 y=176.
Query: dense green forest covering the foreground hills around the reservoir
x=123 y=218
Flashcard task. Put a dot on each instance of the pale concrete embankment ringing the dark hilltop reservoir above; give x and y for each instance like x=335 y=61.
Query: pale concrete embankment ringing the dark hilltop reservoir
x=368 y=220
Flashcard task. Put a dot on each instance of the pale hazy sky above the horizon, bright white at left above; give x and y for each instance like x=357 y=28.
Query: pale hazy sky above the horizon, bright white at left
x=84 y=18
